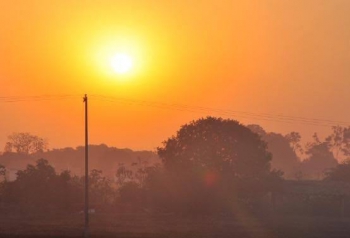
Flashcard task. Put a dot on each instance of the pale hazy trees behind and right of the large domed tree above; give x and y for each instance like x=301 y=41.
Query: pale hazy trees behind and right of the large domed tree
x=318 y=155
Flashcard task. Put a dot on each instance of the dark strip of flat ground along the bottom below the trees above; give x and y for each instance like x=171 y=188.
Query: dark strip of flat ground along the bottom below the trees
x=161 y=225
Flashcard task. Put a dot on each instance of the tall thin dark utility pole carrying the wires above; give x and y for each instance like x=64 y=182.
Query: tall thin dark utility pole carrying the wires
x=86 y=208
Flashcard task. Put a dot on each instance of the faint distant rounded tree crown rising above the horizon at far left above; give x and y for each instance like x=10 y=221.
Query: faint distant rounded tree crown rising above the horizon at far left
x=25 y=143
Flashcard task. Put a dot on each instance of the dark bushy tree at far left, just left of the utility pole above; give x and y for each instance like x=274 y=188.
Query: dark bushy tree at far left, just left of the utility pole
x=38 y=188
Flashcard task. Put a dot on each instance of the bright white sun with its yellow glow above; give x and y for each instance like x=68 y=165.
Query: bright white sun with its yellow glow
x=119 y=59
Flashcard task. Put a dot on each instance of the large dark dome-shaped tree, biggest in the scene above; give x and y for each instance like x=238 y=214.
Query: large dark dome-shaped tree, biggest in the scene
x=213 y=161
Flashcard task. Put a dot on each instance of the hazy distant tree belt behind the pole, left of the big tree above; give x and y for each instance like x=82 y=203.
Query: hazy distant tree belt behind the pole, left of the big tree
x=101 y=157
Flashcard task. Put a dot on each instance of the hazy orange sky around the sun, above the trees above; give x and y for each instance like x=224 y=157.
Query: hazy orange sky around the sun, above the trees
x=264 y=56
